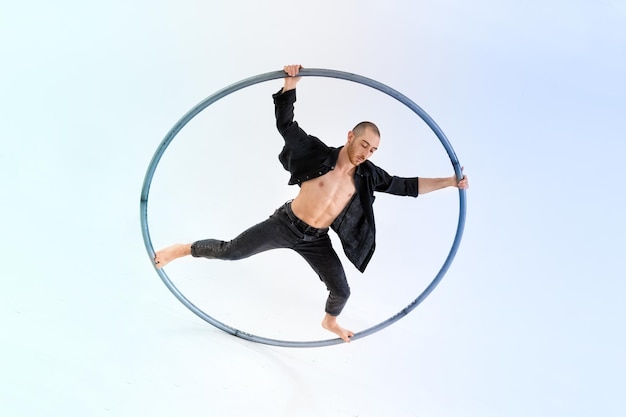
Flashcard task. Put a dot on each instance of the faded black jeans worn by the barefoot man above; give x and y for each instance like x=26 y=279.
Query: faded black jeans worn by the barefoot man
x=284 y=230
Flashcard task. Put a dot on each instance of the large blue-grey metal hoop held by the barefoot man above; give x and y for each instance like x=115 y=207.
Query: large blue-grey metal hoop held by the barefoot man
x=306 y=73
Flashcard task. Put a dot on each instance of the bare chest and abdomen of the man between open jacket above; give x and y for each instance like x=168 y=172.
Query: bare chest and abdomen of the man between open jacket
x=322 y=199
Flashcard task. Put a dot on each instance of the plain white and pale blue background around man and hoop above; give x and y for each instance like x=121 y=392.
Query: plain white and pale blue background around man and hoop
x=529 y=319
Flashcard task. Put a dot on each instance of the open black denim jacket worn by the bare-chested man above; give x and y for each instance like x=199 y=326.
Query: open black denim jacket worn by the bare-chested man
x=307 y=157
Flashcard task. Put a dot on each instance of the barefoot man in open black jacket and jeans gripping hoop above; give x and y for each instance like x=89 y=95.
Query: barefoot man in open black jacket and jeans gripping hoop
x=336 y=191
